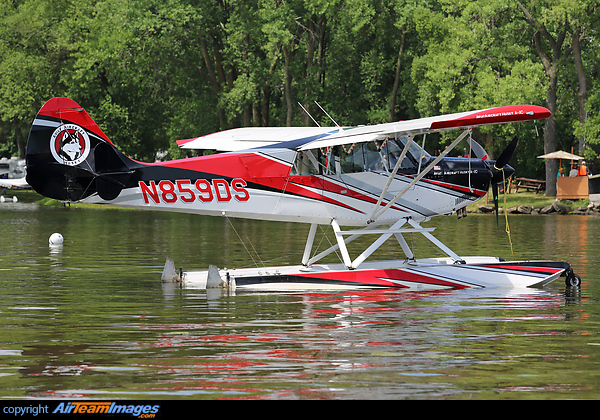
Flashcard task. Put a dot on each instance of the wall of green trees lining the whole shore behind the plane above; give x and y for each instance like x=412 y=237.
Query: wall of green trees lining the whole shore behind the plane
x=154 y=71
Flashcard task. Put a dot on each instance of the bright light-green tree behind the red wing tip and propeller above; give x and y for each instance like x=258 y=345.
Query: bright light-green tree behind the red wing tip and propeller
x=474 y=58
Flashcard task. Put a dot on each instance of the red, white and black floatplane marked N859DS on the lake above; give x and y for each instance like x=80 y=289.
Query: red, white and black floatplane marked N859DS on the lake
x=366 y=180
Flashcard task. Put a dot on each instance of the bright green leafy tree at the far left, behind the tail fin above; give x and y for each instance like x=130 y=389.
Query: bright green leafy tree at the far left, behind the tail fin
x=31 y=56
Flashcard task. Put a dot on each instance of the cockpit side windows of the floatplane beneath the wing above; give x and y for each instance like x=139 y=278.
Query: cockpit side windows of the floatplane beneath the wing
x=377 y=156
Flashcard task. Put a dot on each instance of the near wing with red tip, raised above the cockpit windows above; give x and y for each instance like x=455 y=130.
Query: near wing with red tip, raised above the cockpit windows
x=462 y=120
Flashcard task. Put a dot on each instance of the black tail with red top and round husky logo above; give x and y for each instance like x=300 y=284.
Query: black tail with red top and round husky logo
x=69 y=158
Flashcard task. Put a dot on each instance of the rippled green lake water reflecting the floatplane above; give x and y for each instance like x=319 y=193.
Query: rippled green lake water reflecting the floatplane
x=92 y=320
